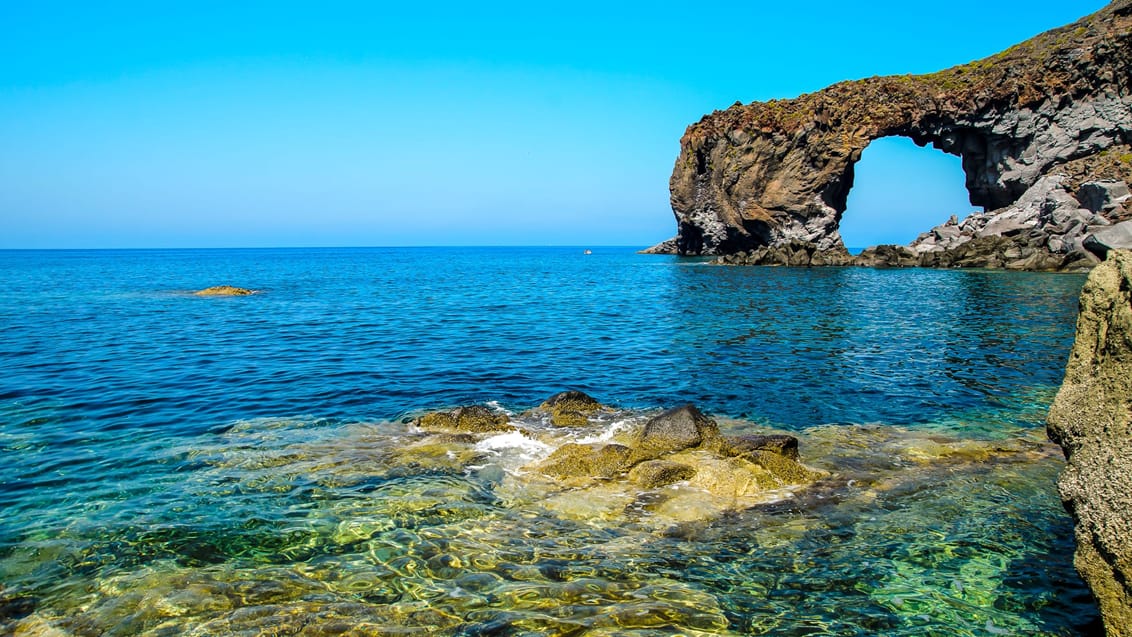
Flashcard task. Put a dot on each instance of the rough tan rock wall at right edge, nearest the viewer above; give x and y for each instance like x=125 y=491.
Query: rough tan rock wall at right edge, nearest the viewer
x=1092 y=419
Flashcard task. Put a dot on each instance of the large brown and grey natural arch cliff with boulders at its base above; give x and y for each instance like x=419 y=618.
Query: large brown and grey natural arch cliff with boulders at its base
x=1044 y=132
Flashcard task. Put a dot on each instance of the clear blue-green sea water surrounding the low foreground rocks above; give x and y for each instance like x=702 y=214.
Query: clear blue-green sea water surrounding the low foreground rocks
x=175 y=464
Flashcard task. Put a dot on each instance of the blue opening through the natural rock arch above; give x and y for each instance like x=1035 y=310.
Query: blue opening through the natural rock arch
x=902 y=191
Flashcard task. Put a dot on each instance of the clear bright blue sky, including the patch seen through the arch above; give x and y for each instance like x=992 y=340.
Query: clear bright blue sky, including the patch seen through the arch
x=430 y=124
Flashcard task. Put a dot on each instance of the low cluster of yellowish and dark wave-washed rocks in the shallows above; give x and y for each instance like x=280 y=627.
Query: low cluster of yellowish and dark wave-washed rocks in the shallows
x=676 y=468
